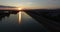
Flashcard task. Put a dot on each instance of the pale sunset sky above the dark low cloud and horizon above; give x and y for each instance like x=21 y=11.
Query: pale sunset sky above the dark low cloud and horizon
x=32 y=4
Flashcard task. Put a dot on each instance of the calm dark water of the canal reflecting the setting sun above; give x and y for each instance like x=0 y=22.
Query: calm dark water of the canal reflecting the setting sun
x=20 y=22
